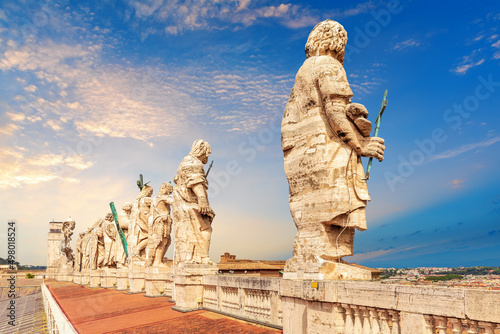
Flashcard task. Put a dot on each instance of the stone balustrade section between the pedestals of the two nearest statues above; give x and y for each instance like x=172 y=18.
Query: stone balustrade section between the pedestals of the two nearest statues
x=251 y=298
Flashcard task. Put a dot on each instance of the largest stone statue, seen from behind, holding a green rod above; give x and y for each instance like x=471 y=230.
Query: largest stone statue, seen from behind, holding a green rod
x=323 y=137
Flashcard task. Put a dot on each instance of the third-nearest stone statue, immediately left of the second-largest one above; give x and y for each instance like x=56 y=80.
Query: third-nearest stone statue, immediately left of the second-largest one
x=160 y=225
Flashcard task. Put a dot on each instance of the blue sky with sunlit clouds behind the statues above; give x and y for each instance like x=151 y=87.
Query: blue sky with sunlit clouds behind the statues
x=94 y=93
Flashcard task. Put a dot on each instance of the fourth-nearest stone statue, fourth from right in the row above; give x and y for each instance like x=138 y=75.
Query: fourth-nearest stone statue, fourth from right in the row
x=139 y=217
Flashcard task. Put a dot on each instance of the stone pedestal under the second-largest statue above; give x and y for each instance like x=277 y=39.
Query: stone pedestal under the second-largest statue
x=188 y=285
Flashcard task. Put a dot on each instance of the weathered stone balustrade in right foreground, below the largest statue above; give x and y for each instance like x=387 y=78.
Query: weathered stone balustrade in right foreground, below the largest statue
x=371 y=307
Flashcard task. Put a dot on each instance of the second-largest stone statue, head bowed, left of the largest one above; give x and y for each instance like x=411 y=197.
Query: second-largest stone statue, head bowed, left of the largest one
x=192 y=213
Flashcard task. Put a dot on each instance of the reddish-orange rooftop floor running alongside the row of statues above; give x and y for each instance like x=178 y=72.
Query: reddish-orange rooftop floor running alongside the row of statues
x=109 y=311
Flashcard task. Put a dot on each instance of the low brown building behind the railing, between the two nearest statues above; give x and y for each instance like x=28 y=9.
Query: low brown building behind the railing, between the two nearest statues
x=229 y=265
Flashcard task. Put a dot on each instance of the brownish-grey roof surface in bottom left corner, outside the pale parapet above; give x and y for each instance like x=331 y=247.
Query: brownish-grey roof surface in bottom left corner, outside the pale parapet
x=30 y=315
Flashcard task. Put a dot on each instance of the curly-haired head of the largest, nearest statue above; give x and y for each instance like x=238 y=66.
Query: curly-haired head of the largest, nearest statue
x=327 y=37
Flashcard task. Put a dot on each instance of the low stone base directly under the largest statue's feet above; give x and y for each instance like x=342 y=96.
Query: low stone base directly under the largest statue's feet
x=335 y=271
